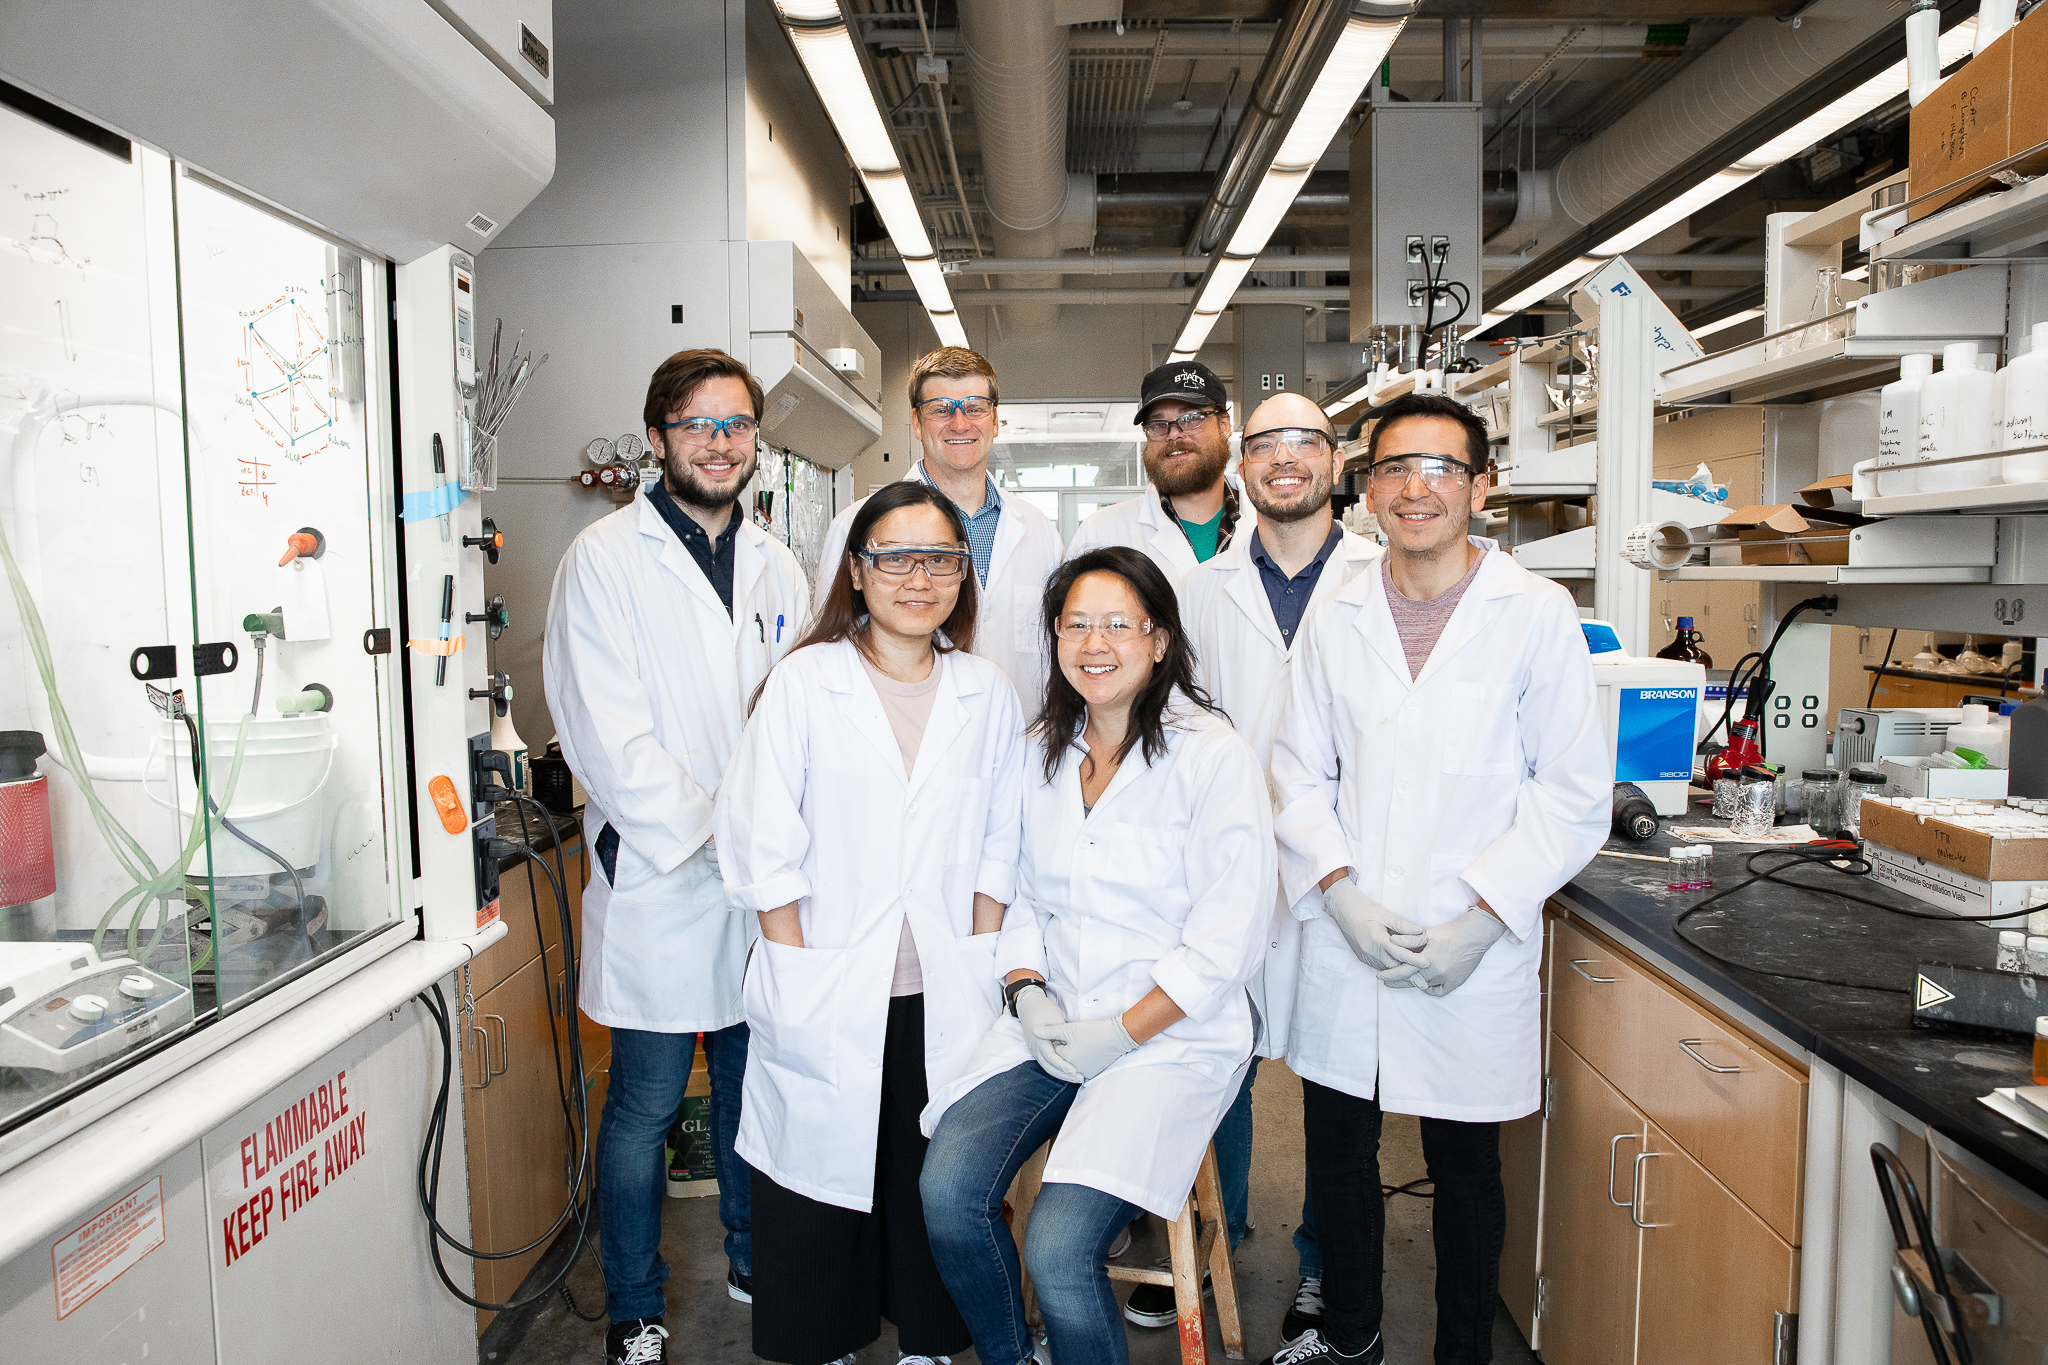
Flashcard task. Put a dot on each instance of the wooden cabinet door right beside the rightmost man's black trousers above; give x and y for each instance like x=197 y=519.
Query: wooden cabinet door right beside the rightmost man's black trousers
x=1588 y=1243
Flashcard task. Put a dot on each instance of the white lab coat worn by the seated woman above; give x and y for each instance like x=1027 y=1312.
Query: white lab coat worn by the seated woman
x=1164 y=885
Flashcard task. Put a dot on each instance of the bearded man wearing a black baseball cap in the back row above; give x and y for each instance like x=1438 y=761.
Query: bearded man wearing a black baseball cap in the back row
x=1191 y=511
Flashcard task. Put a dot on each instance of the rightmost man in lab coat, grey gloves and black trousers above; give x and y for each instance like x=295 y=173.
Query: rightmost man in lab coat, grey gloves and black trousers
x=1443 y=768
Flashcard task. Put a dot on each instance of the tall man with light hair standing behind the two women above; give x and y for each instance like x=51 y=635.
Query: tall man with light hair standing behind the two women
x=953 y=398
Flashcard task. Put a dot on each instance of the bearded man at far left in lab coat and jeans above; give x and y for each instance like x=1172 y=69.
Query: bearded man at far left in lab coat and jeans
x=665 y=619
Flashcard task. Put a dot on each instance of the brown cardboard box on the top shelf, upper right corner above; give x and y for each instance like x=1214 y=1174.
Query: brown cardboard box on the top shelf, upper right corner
x=1994 y=109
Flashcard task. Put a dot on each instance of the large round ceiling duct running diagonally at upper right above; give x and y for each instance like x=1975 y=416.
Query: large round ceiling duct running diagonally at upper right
x=1750 y=71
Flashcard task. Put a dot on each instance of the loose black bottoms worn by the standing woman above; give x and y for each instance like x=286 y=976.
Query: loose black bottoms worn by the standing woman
x=826 y=1276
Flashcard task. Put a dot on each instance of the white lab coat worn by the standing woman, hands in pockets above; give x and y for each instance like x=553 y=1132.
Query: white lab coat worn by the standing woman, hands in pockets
x=816 y=809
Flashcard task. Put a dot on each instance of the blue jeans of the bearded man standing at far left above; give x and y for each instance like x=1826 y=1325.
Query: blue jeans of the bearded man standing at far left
x=648 y=1077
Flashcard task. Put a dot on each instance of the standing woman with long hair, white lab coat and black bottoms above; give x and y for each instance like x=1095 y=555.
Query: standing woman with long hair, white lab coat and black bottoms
x=871 y=822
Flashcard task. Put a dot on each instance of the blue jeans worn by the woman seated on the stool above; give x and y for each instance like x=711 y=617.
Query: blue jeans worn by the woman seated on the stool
x=976 y=1153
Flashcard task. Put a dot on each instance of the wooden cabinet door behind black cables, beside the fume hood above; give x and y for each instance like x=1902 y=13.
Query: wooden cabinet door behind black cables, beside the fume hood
x=515 y=1129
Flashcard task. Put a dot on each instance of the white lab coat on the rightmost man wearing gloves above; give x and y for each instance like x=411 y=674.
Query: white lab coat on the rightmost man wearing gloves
x=1488 y=777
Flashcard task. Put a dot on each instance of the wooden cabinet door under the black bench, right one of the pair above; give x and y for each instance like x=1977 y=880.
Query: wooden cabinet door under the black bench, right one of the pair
x=1715 y=1276
